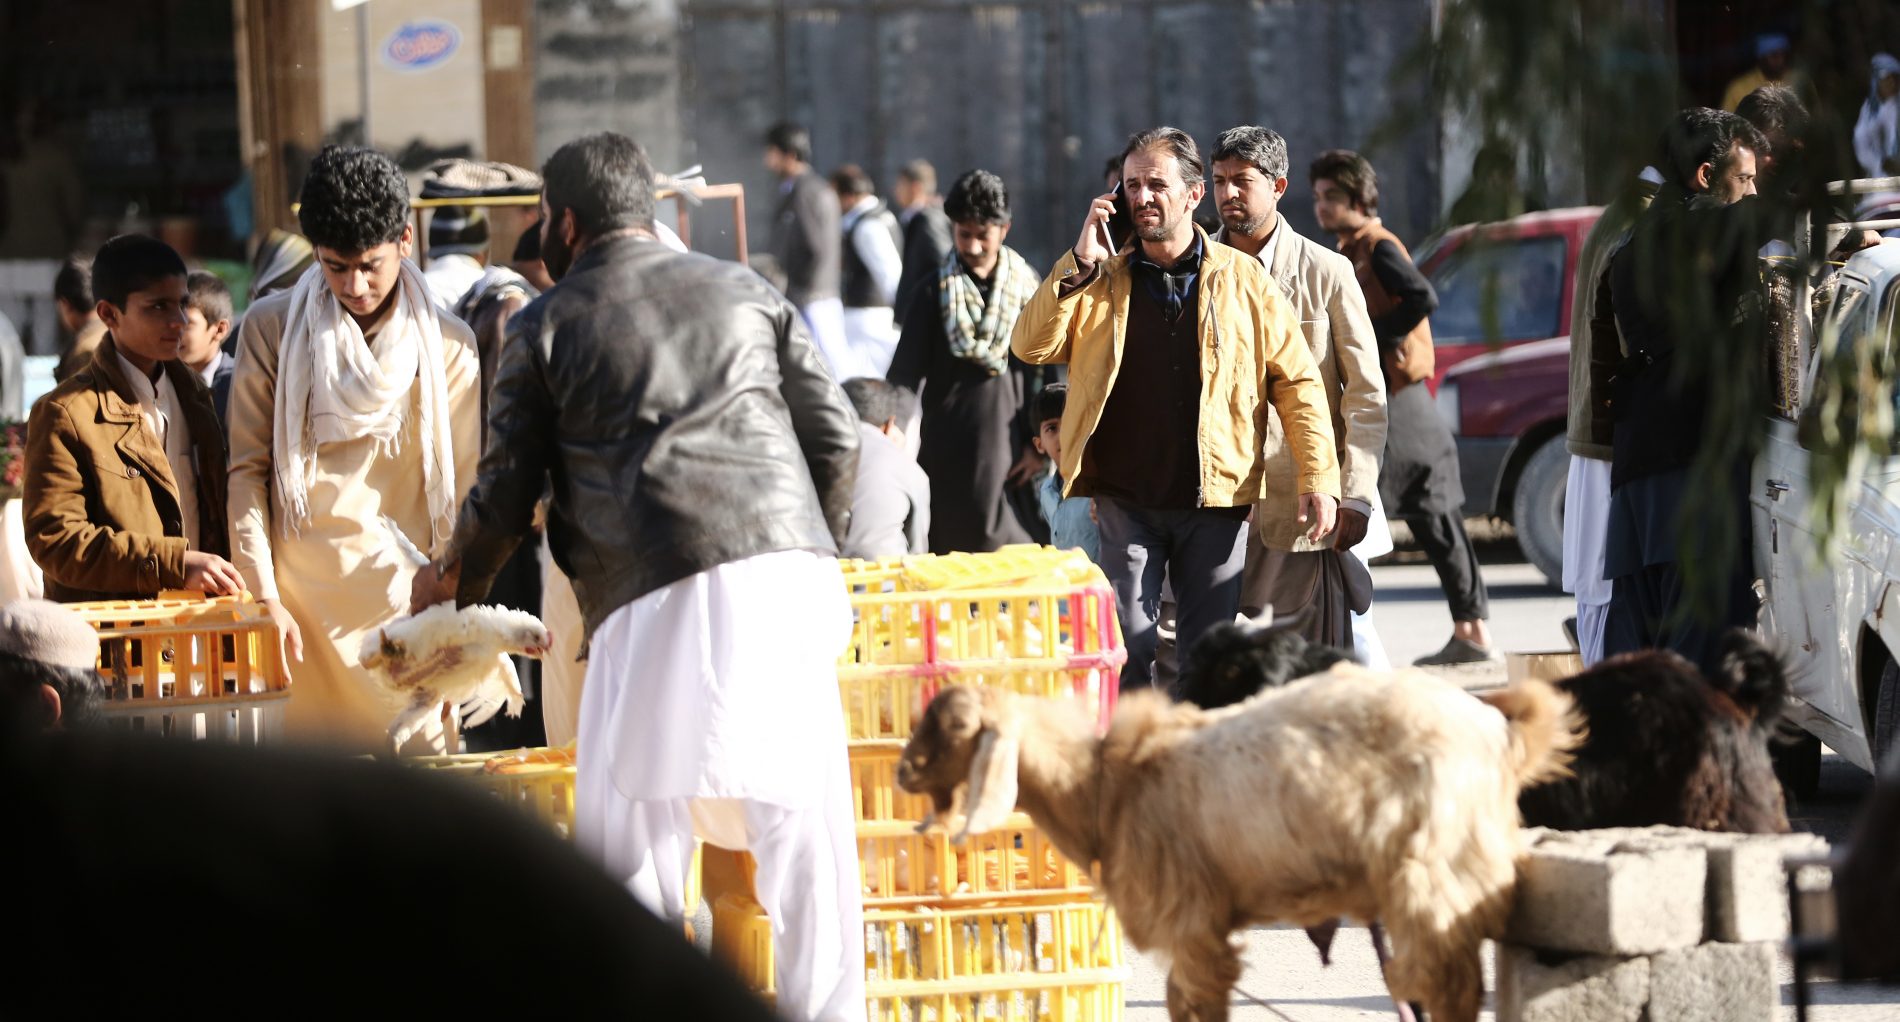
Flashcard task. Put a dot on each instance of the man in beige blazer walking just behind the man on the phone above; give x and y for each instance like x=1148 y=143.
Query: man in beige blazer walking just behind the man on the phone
x=1314 y=586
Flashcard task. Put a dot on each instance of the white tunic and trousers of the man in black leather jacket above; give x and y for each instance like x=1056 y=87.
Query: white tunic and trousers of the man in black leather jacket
x=712 y=710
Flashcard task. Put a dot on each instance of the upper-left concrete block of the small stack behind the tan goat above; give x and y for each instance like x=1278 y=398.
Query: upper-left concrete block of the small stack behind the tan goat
x=1625 y=899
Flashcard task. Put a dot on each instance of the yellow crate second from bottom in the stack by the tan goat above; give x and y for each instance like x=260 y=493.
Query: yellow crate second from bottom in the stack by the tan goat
x=903 y=867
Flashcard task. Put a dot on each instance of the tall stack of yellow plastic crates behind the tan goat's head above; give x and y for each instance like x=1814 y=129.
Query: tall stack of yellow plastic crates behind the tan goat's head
x=1000 y=928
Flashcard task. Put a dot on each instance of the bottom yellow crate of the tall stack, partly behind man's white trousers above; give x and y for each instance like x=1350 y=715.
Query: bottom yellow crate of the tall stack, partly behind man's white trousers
x=1052 y=960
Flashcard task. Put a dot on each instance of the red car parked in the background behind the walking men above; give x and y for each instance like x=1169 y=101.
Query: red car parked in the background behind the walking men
x=1502 y=337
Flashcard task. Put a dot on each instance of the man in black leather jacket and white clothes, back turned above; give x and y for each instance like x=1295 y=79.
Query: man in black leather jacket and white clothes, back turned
x=702 y=468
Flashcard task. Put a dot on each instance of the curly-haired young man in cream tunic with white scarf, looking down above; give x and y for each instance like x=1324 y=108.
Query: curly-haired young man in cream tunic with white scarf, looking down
x=354 y=402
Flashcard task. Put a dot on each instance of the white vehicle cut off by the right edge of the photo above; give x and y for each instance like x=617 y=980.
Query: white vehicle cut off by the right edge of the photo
x=1838 y=616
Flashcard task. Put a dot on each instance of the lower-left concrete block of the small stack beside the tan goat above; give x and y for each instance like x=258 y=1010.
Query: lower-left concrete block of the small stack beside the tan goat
x=1548 y=987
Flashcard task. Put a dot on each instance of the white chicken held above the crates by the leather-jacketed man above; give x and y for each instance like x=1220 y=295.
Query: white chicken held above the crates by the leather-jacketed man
x=447 y=660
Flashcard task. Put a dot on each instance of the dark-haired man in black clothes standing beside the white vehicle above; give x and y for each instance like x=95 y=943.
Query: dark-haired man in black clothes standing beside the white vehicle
x=1690 y=396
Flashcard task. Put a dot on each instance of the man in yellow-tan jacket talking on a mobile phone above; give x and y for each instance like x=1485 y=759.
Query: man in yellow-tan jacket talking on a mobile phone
x=1179 y=352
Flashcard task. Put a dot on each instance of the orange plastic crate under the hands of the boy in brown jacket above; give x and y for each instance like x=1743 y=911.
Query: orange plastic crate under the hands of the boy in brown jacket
x=191 y=666
